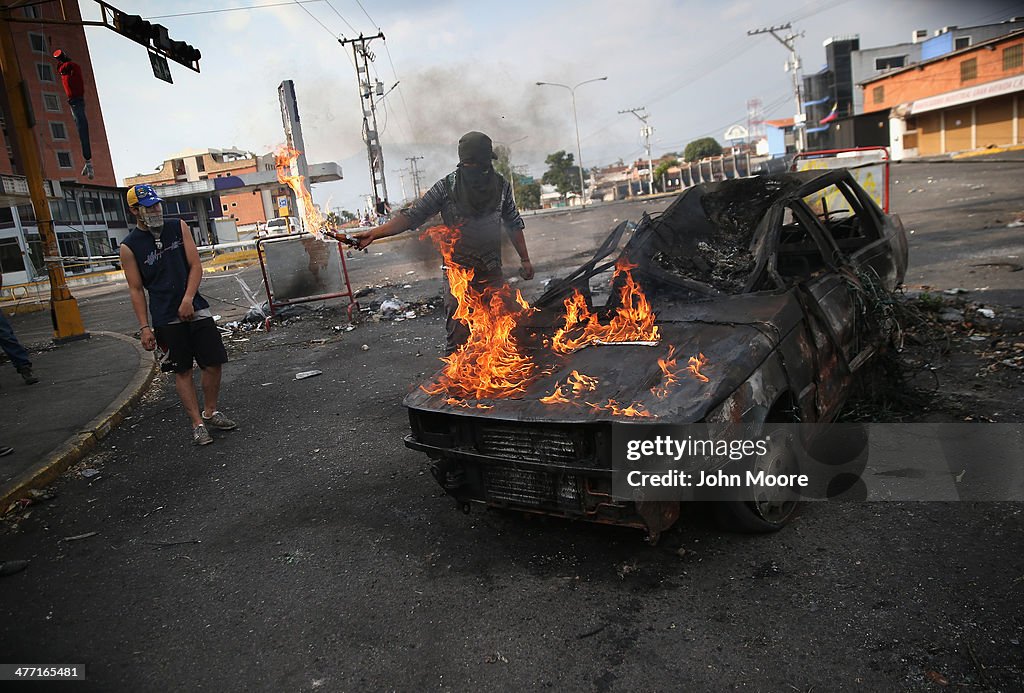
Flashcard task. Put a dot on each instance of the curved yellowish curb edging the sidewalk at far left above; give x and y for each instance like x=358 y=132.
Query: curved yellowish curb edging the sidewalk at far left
x=75 y=448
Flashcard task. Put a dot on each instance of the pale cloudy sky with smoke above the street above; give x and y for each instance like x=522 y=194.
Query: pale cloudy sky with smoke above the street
x=474 y=66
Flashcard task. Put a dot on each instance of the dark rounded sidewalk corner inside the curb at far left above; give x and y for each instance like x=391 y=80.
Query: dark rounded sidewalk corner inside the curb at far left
x=83 y=392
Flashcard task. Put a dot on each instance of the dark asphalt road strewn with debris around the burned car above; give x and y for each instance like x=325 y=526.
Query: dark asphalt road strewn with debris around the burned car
x=312 y=551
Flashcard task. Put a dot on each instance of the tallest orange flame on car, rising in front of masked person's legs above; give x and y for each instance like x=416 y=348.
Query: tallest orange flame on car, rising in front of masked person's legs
x=489 y=365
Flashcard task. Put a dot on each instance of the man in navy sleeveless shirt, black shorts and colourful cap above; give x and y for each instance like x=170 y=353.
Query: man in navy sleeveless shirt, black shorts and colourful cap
x=161 y=257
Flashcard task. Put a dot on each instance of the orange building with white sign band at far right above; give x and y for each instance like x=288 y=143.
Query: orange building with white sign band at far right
x=966 y=100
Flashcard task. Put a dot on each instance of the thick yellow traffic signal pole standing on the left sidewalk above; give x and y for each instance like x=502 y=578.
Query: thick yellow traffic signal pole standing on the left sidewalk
x=64 y=309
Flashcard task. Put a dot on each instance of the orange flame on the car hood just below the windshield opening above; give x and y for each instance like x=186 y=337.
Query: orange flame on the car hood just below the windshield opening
x=634 y=320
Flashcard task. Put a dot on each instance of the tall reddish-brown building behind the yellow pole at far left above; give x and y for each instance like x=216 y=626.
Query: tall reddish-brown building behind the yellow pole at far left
x=89 y=215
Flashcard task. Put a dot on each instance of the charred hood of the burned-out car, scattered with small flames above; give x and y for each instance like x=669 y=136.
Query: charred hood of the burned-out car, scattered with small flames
x=735 y=334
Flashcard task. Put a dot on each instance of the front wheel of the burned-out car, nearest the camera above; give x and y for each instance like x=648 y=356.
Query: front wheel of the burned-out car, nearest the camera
x=771 y=508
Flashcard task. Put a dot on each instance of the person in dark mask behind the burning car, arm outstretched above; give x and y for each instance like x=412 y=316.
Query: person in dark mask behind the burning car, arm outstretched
x=478 y=201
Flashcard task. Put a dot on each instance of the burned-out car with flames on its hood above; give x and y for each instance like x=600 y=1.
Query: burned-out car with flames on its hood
x=747 y=300
